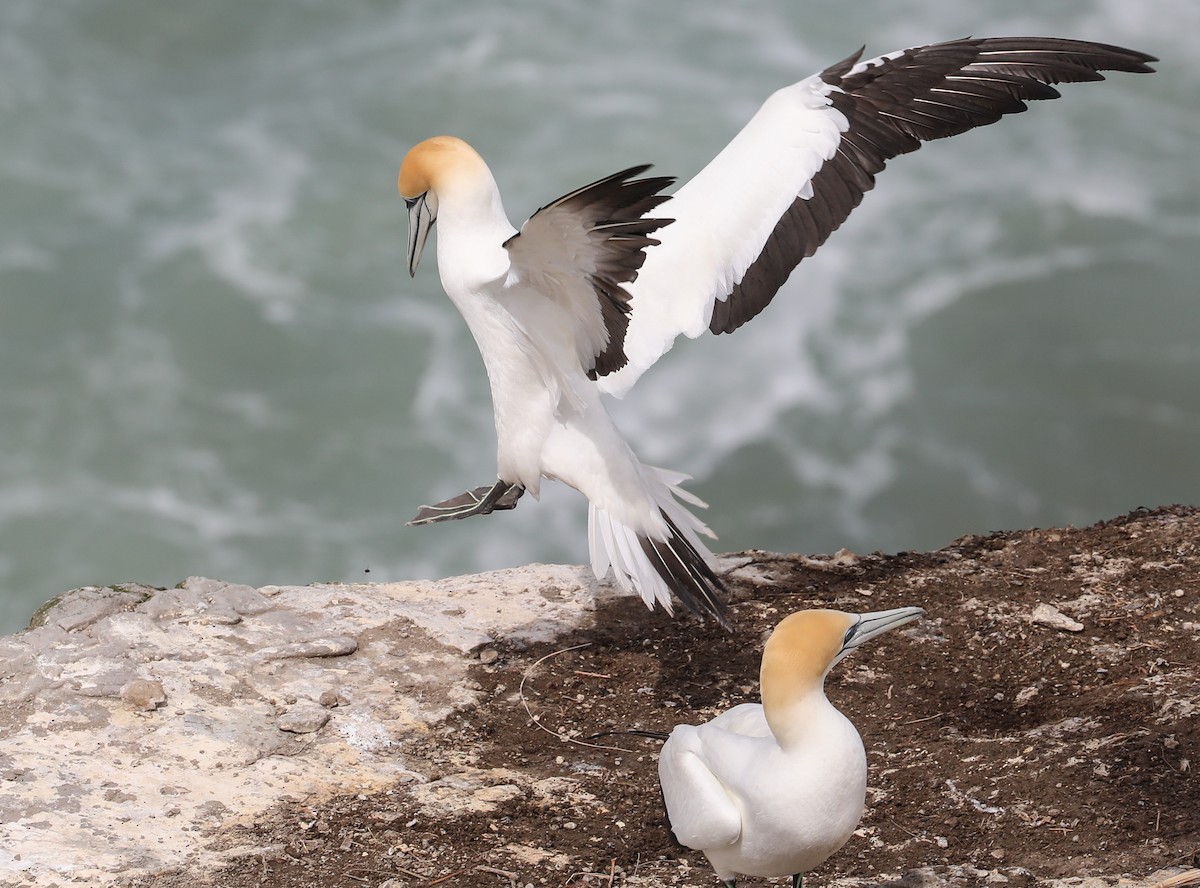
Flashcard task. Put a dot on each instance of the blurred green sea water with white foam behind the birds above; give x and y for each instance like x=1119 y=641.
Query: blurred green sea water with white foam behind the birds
x=213 y=361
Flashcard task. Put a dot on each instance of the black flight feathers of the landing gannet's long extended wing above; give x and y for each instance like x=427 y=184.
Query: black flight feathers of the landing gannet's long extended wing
x=893 y=105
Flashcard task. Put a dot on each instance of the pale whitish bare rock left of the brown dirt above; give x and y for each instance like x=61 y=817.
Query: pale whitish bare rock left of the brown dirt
x=133 y=719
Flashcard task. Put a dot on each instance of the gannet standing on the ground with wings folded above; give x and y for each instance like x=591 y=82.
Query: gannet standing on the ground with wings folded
x=775 y=789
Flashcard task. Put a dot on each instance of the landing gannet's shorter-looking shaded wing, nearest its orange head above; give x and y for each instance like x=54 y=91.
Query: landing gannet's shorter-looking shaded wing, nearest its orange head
x=583 y=249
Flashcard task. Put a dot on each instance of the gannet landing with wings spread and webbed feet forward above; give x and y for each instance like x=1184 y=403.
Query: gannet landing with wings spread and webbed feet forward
x=597 y=285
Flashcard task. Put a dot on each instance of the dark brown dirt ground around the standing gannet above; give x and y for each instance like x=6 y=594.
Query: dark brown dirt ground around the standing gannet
x=997 y=746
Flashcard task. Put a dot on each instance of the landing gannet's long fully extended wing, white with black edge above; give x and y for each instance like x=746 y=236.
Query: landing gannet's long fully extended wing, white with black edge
x=805 y=161
